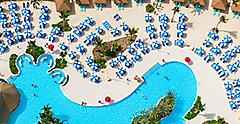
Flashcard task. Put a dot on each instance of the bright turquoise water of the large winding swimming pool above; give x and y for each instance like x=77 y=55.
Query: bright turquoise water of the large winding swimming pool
x=159 y=79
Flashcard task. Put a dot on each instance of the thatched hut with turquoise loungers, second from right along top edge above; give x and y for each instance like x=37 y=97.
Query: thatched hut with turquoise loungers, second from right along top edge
x=218 y=6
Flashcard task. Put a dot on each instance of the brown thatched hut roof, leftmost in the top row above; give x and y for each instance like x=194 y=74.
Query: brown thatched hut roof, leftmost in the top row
x=62 y=5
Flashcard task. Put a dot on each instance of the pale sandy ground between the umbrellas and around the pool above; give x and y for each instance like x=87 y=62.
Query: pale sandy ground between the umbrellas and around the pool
x=210 y=86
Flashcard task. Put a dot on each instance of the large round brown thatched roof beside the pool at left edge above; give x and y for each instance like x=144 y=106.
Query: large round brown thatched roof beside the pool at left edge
x=9 y=98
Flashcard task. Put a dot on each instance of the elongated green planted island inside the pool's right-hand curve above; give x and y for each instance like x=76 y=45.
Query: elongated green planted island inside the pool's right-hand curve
x=153 y=115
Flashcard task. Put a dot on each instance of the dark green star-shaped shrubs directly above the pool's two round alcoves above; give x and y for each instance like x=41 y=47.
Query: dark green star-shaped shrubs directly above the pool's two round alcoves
x=34 y=50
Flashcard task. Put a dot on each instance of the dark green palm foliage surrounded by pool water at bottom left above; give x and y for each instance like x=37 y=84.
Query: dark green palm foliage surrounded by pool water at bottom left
x=46 y=116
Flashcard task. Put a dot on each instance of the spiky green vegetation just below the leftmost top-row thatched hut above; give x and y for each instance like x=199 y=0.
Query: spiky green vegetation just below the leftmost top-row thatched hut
x=63 y=25
